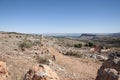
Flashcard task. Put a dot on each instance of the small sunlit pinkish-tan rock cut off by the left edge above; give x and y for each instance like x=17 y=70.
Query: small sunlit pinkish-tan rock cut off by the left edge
x=3 y=71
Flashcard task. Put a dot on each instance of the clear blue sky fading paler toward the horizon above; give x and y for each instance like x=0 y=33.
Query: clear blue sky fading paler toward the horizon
x=60 y=16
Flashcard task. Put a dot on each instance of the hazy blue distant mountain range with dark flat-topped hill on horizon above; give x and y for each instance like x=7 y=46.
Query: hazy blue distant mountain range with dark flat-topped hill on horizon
x=84 y=35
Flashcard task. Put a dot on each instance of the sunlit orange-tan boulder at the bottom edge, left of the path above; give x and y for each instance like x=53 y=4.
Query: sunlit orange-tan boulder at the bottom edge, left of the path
x=41 y=72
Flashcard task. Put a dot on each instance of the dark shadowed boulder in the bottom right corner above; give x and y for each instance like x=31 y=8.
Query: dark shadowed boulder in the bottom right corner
x=110 y=70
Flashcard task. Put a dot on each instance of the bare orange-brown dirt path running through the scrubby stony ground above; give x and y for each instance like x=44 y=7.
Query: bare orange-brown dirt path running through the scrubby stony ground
x=85 y=69
